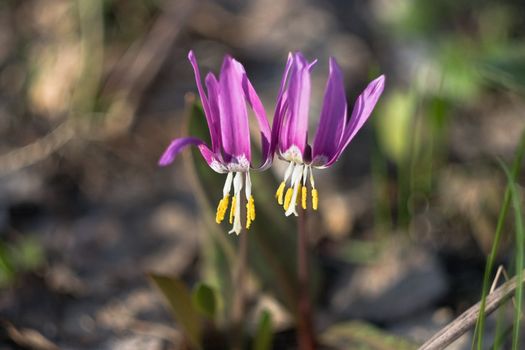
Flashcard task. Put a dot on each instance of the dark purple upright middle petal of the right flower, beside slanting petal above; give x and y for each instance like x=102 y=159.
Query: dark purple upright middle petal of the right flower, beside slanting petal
x=333 y=117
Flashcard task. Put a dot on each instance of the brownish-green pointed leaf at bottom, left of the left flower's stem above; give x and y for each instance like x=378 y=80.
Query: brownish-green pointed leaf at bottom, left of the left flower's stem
x=179 y=299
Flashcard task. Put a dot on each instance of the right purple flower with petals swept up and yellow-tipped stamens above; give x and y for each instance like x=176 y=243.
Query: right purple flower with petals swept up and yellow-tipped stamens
x=335 y=131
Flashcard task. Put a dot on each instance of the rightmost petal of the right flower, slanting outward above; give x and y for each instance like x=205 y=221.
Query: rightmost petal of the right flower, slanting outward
x=363 y=107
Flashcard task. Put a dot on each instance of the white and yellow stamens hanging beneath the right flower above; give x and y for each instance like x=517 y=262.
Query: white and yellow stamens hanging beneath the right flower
x=297 y=190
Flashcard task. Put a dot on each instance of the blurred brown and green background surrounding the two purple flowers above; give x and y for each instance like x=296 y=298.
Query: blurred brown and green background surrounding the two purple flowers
x=92 y=91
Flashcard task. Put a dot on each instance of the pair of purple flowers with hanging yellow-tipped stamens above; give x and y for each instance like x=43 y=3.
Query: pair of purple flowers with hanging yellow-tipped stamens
x=225 y=107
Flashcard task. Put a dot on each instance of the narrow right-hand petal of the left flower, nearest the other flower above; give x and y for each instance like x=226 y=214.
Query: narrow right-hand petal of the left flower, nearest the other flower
x=262 y=121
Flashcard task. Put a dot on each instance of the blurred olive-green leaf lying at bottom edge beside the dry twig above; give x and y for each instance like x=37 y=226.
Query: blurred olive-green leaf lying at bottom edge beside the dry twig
x=363 y=336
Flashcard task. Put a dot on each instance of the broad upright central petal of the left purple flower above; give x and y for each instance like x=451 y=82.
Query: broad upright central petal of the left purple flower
x=235 y=132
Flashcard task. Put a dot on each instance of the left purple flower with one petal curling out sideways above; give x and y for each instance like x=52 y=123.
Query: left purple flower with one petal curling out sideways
x=227 y=117
